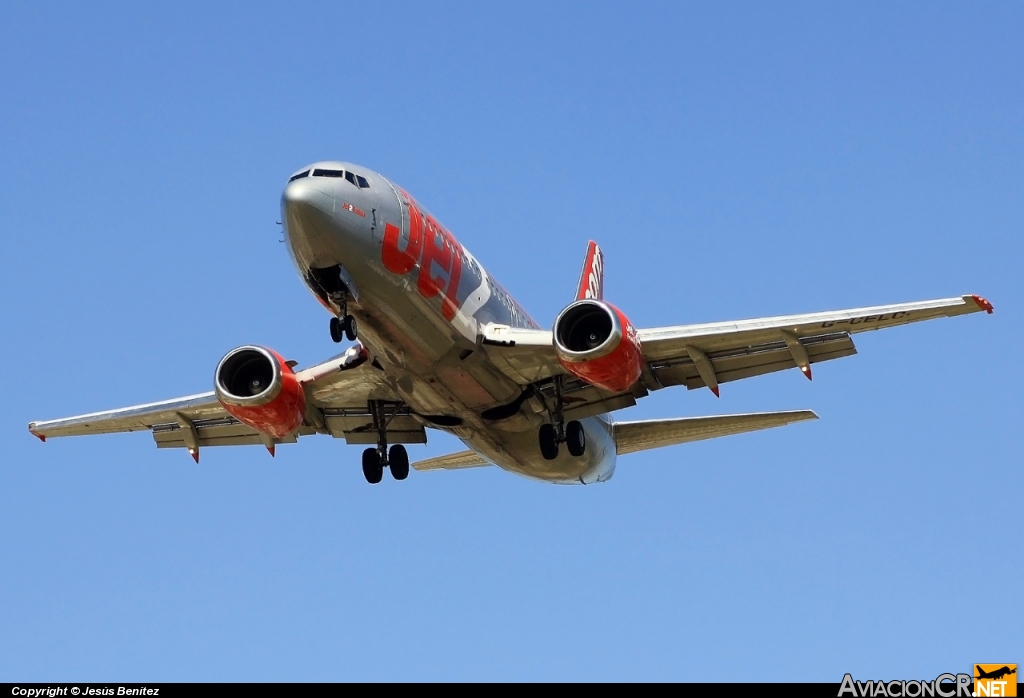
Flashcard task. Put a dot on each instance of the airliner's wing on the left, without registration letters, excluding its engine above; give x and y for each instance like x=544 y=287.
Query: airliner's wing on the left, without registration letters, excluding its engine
x=337 y=394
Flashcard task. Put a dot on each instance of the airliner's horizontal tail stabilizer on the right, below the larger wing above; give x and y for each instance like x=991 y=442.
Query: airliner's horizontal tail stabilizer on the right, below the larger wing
x=634 y=437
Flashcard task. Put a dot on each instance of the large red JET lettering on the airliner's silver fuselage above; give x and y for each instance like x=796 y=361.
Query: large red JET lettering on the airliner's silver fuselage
x=438 y=252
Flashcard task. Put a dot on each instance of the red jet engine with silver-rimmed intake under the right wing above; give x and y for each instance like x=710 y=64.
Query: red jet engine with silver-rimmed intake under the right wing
x=598 y=344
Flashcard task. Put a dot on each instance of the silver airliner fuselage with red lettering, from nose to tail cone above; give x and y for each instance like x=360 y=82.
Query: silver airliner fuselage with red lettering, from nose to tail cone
x=419 y=308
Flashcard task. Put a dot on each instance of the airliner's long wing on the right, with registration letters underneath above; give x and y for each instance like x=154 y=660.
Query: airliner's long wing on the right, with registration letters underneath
x=708 y=355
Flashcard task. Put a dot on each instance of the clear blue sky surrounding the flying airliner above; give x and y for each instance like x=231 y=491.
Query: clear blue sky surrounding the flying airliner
x=733 y=160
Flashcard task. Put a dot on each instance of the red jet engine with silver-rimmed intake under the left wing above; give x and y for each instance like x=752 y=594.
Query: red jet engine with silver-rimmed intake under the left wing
x=260 y=389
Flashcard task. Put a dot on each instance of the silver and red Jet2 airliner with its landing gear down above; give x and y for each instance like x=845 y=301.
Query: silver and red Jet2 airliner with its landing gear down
x=438 y=343
